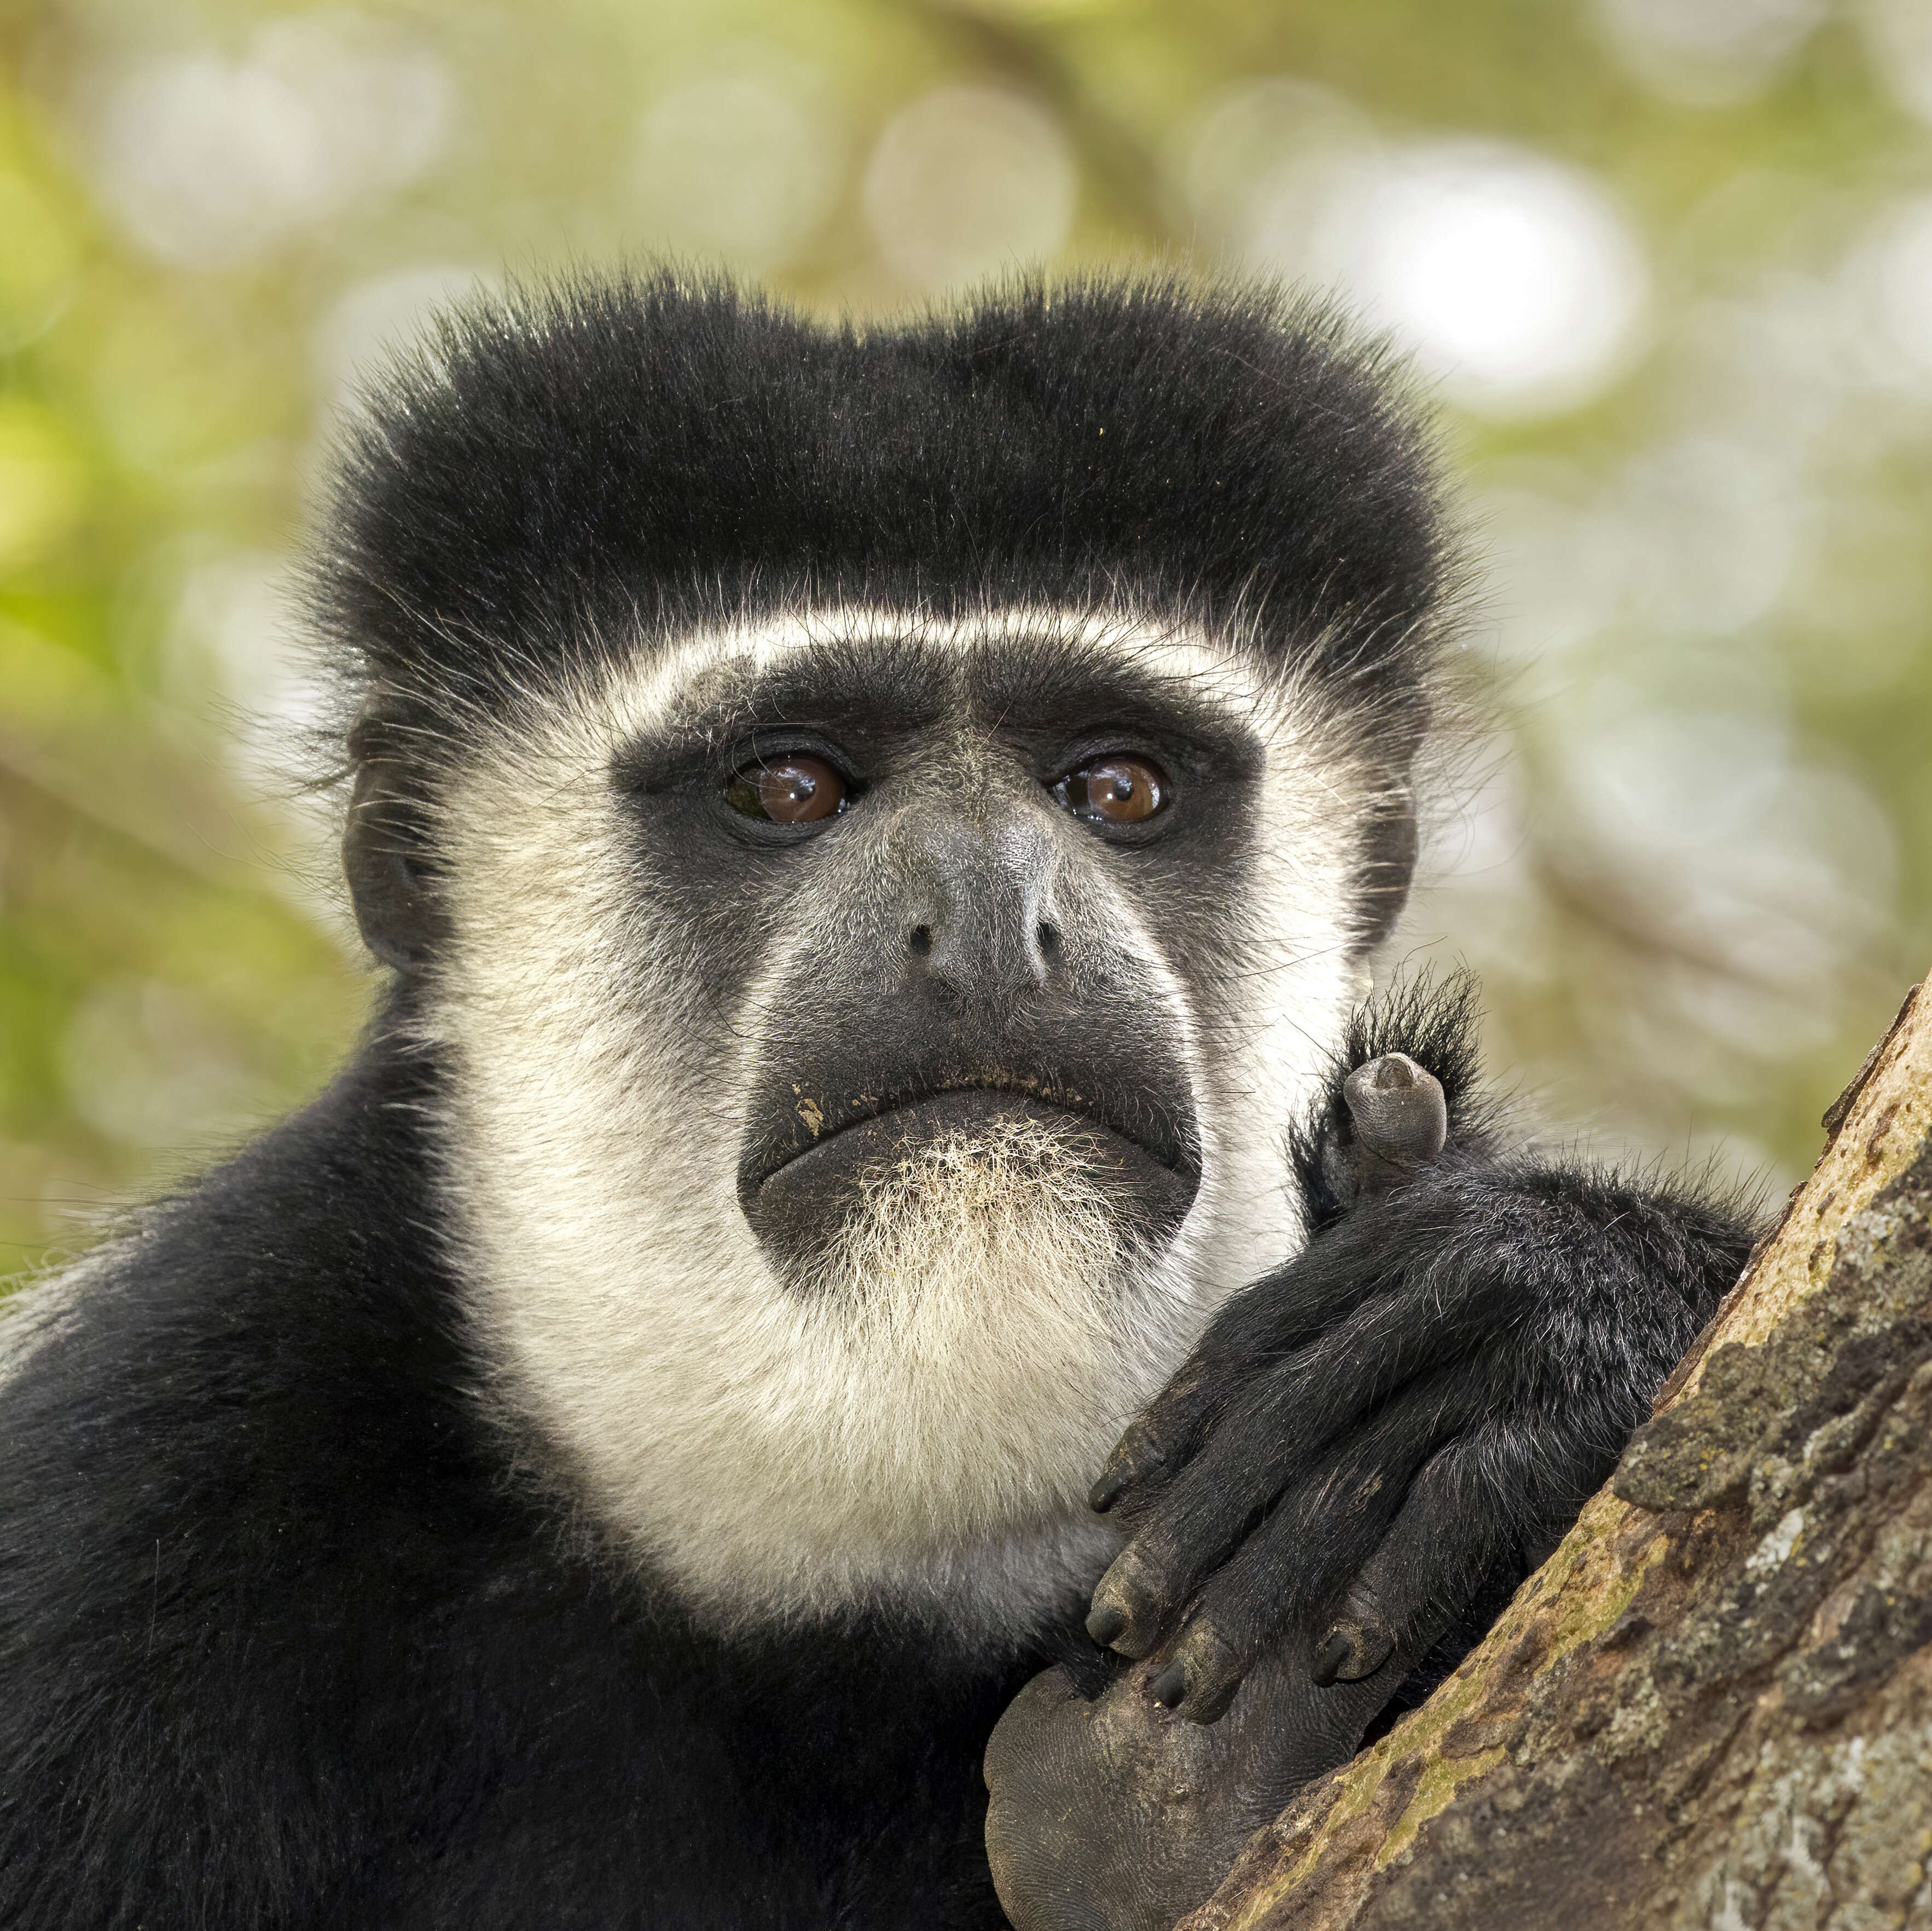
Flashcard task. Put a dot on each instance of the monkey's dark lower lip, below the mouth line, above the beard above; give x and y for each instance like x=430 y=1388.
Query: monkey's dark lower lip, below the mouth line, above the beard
x=810 y=1187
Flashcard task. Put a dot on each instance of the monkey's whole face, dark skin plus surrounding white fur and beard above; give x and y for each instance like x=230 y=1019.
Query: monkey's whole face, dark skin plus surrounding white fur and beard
x=870 y=1044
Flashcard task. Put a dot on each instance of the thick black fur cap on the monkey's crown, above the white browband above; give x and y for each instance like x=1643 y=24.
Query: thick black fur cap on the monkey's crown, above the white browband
x=575 y=472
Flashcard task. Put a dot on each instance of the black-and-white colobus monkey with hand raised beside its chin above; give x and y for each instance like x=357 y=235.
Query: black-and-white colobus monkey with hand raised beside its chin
x=870 y=1177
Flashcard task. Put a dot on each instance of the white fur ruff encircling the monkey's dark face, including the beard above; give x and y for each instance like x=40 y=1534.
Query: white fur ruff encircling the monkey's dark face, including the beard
x=774 y=1453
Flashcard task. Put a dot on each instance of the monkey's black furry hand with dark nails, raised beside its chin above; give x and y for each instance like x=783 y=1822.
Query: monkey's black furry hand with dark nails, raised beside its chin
x=1431 y=1389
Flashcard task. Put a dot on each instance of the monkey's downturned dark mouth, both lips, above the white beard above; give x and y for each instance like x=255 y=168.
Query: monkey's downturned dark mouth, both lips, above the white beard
x=799 y=1185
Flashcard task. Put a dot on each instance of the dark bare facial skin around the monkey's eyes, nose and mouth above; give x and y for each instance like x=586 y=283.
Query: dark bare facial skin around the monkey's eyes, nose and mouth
x=957 y=837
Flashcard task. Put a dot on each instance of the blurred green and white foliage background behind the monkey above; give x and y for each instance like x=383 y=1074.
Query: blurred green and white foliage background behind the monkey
x=1666 y=267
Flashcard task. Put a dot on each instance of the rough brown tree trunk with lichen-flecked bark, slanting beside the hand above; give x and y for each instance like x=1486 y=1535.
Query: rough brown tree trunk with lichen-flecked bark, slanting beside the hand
x=1715 y=1704
